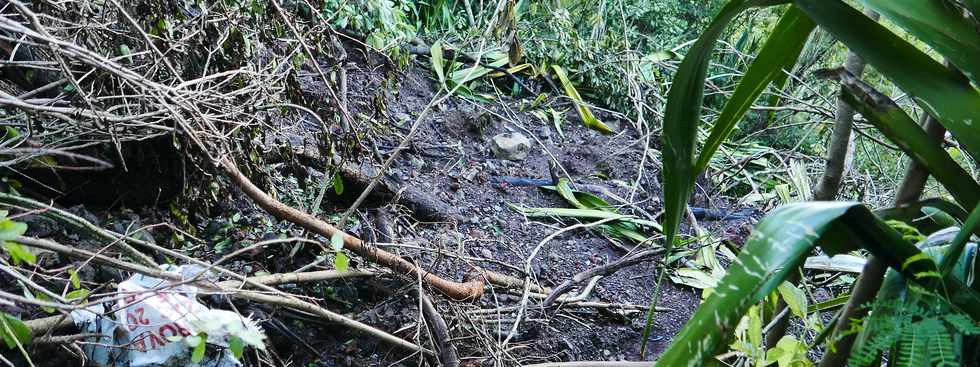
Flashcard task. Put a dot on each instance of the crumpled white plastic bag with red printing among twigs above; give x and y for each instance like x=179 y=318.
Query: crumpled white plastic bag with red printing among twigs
x=142 y=329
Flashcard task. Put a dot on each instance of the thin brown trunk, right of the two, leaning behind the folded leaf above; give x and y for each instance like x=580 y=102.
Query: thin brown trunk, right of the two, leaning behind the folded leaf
x=867 y=285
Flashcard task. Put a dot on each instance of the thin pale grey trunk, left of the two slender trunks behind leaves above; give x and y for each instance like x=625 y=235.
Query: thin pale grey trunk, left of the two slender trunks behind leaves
x=839 y=159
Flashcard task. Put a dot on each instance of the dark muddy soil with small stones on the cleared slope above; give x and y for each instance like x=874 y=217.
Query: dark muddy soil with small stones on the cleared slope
x=449 y=159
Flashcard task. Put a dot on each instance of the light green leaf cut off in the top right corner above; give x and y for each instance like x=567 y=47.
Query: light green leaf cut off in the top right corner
x=938 y=24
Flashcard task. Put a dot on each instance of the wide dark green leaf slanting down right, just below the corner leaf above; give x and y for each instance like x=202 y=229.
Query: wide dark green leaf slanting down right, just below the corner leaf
x=943 y=93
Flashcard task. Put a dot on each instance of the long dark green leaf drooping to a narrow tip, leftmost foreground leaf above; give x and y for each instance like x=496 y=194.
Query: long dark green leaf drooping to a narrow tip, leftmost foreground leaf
x=680 y=126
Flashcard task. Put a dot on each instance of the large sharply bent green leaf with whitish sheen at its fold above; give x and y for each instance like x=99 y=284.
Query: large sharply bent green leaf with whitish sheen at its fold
x=777 y=247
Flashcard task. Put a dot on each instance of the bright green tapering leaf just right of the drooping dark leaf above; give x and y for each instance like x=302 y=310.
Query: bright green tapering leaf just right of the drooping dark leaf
x=780 y=53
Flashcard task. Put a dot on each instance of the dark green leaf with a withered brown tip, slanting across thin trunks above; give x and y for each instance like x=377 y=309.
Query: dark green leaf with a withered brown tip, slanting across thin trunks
x=891 y=120
